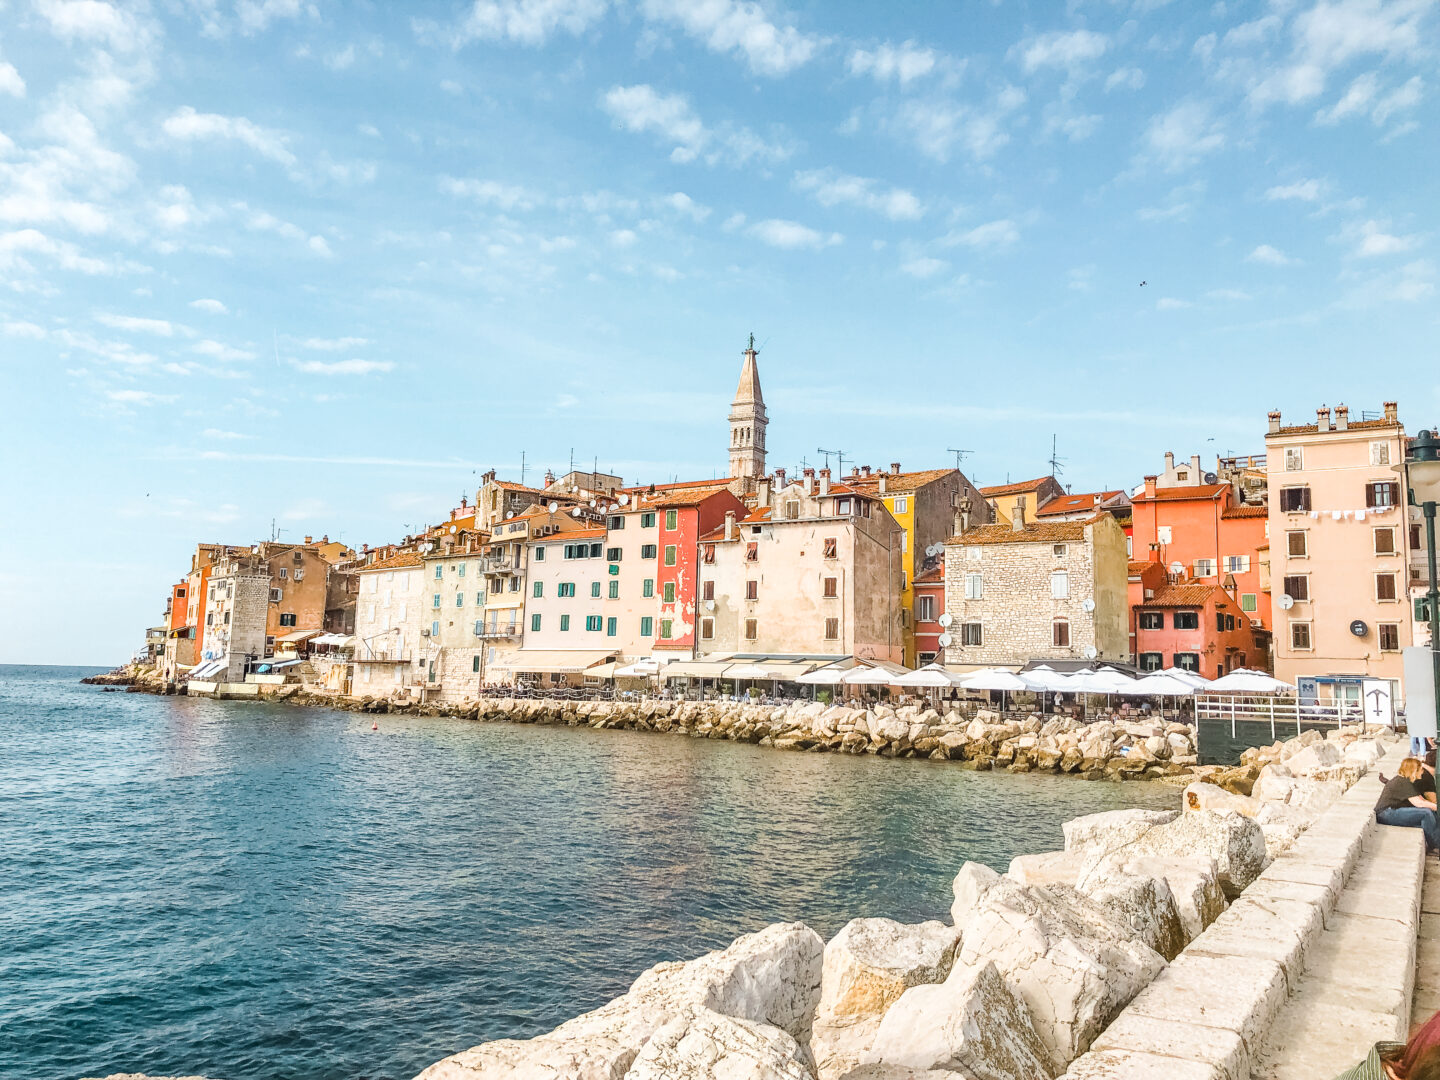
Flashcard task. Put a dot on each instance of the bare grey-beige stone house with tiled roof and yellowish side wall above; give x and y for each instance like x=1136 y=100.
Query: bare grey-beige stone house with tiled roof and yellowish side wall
x=1038 y=591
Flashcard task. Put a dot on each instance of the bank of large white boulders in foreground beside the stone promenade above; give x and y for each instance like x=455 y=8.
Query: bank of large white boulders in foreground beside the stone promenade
x=1029 y=974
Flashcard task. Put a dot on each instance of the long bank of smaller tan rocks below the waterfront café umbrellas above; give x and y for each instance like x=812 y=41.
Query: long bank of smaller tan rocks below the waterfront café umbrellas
x=1097 y=750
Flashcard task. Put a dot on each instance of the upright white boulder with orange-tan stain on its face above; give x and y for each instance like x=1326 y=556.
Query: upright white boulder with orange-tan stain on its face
x=868 y=967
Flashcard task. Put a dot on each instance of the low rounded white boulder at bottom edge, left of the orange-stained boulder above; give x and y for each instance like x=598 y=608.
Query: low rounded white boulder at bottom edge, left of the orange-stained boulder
x=702 y=1045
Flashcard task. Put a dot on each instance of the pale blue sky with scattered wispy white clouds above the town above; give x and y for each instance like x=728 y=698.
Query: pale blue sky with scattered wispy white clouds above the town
x=320 y=264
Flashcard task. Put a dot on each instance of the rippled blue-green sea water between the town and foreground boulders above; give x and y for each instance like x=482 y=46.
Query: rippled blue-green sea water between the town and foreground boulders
x=266 y=892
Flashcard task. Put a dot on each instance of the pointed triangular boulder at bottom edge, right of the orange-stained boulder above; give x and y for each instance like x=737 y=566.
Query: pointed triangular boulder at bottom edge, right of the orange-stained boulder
x=971 y=1025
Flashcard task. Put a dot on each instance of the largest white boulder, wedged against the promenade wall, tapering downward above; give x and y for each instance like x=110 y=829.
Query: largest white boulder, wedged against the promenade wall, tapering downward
x=1059 y=953
